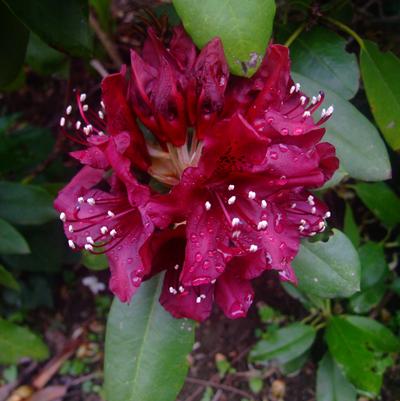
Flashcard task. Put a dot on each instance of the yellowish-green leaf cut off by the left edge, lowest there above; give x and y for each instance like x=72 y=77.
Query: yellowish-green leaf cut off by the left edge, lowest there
x=17 y=342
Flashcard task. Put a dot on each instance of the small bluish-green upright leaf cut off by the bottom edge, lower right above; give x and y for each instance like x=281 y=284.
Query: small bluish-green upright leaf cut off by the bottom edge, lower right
x=331 y=384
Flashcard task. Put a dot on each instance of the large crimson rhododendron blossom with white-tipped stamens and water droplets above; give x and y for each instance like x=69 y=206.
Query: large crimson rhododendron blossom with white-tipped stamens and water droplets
x=197 y=173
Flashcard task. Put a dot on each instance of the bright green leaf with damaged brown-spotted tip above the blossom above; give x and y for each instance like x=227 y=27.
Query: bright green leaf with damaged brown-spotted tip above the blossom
x=244 y=27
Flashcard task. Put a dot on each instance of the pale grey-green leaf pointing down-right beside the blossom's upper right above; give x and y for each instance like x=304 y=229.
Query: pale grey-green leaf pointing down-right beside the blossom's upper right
x=360 y=148
